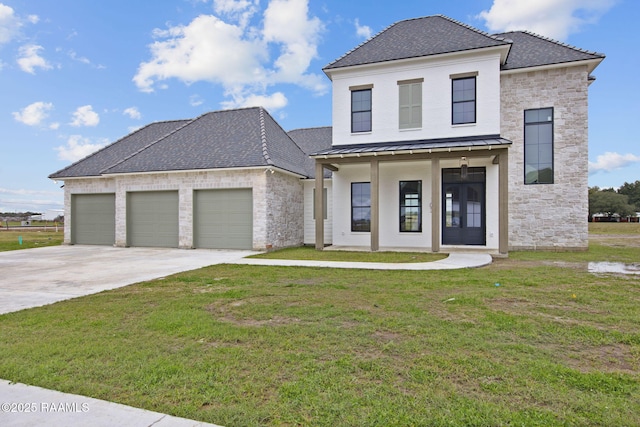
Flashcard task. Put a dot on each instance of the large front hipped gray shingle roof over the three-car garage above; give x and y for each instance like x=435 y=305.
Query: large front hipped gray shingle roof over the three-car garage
x=221 y=139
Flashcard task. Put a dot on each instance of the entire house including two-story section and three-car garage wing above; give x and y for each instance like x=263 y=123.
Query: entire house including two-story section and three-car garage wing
x=443 y=138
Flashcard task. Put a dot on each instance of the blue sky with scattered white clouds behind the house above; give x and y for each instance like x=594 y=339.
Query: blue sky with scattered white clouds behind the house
x=76 y=75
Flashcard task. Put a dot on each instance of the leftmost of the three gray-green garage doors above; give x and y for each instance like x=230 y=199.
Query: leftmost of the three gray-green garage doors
x=93 y=219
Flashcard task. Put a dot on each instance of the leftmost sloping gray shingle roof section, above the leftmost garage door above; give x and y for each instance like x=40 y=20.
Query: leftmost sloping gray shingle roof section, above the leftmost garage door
x=96 y=163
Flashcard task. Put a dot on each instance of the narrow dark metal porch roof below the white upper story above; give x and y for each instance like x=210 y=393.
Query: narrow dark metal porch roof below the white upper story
x=486 y=142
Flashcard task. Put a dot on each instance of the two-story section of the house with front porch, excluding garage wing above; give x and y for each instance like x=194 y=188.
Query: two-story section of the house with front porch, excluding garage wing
x=445 y=137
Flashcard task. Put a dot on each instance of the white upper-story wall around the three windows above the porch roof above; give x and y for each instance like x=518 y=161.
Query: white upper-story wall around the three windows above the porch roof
x=436 y=98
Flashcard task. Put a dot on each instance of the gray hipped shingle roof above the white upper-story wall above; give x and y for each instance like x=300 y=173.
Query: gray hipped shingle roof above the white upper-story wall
x=413 y=38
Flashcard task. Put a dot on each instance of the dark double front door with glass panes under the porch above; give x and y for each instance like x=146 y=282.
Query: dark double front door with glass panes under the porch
x=463 y=206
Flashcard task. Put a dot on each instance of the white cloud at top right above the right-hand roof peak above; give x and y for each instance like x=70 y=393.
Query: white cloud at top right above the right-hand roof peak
x=551 y=18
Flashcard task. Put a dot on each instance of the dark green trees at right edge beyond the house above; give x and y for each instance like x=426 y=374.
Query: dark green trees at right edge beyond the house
x=623 y=202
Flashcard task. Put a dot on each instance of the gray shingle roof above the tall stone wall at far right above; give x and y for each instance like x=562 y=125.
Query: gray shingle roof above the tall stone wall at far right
x=531 y=50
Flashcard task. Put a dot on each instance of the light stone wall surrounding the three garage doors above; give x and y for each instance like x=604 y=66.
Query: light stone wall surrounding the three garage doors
x=277 y=201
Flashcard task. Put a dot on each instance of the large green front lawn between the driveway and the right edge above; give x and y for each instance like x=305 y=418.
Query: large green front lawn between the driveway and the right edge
x=249 y=345
